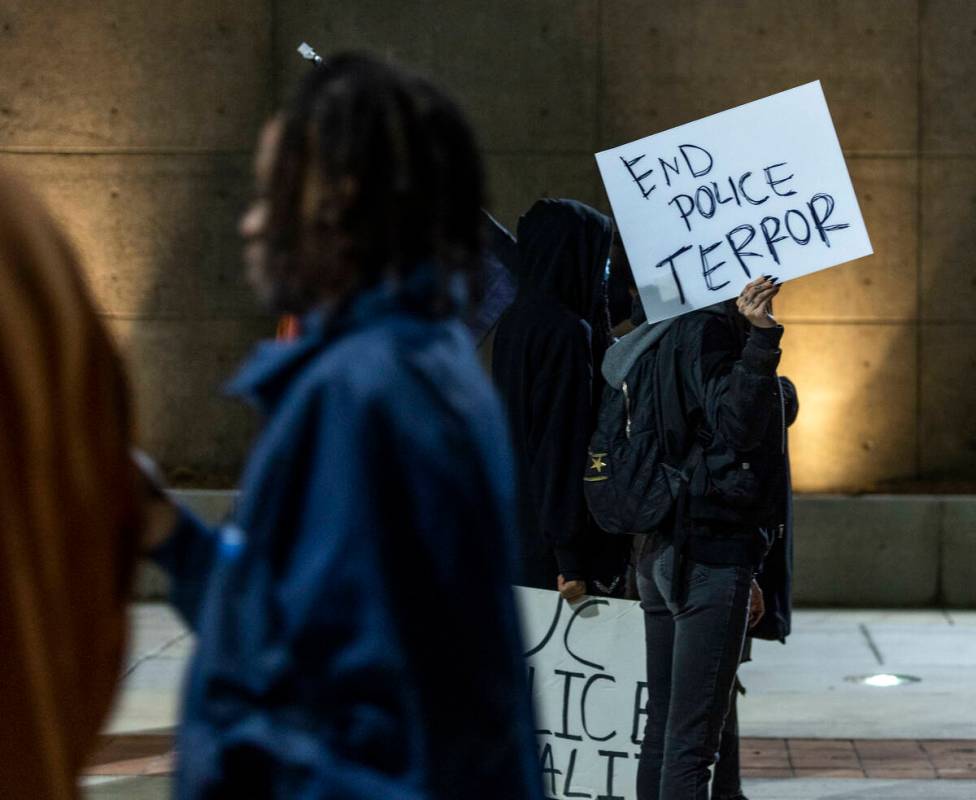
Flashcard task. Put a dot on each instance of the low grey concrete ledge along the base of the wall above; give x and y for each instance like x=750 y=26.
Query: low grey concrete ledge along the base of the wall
x=874 y=551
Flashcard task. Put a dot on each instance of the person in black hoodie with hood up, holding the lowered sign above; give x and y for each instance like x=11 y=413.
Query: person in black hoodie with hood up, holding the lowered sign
x=546 y=363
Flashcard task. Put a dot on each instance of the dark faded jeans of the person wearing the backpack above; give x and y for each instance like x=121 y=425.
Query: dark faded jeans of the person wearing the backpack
x=693 y=651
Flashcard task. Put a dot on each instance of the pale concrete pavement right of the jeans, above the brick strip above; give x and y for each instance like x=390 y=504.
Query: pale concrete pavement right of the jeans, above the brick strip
x=799 y=690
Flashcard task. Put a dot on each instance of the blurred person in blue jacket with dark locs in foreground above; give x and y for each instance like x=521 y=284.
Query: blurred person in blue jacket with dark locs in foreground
x=357 y=630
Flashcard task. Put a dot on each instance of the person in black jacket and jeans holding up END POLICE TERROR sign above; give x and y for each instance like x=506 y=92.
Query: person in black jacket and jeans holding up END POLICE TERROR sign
x=708 y=377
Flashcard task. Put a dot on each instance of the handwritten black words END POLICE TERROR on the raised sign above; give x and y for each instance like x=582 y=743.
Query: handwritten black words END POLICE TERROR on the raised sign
x=807 y=222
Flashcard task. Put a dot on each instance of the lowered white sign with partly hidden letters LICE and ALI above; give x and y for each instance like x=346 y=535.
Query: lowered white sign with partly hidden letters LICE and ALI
x=586 y=667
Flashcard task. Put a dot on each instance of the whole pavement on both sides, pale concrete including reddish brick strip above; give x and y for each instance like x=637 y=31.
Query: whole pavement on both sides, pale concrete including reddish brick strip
x=812 y=735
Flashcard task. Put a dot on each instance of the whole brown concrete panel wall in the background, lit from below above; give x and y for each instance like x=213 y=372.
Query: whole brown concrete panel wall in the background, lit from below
x=138 y=125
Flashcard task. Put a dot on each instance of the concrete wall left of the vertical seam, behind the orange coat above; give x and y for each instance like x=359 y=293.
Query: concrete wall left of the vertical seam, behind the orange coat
x=136 y=121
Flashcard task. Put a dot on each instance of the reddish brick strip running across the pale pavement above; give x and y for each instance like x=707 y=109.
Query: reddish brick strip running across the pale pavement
x=150 y=754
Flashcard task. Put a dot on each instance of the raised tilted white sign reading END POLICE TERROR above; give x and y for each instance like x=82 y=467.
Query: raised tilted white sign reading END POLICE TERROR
x=761 y=189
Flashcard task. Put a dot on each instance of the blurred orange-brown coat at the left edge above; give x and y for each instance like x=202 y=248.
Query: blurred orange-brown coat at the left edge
x=68 y=515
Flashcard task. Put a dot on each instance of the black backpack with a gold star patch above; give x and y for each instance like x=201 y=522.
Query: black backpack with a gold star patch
x=631 y=485
